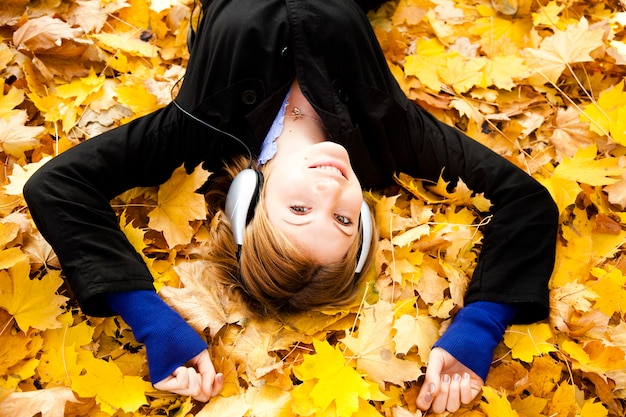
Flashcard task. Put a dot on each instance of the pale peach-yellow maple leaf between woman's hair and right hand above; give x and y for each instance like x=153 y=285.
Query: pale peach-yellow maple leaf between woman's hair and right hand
x=374 y=350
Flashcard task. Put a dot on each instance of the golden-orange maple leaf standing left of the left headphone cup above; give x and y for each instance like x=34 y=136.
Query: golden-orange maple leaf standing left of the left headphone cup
x=178 y=204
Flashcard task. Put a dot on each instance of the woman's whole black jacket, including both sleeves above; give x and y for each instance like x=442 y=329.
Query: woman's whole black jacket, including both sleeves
x=244 y=57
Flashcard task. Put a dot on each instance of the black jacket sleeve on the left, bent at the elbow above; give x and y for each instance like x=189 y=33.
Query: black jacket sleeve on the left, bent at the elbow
x=69 y=200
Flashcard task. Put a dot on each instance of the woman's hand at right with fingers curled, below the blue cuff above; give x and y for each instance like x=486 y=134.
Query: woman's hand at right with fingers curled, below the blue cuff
x=448 y=383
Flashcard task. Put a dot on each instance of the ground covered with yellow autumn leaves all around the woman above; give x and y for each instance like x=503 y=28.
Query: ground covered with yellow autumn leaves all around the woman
x=540 y=82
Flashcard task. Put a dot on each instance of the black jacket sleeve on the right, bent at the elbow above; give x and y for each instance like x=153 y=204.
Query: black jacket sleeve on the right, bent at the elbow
x=519 y=244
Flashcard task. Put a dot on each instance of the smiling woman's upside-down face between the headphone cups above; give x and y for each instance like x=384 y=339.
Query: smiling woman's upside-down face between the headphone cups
x=313 y=196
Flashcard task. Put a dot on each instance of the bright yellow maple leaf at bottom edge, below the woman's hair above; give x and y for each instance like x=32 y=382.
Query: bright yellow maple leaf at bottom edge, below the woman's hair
x=328 y=379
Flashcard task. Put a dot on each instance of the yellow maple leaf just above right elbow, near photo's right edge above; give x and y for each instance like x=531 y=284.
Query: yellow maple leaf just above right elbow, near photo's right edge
x=584 y=167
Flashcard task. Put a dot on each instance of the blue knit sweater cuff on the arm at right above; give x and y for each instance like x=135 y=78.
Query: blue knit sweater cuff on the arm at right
x=475 y=332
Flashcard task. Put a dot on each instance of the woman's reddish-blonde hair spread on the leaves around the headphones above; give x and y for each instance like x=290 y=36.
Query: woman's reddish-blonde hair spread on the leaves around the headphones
x=273 y=275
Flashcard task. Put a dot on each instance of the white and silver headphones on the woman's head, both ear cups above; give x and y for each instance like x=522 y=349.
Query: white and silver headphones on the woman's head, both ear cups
x=243 y=196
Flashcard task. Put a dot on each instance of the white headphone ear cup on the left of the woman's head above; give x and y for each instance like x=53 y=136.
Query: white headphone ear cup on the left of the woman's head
x=241 y=200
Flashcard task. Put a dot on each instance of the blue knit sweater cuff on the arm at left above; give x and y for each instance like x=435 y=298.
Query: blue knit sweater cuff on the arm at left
x=169 y=340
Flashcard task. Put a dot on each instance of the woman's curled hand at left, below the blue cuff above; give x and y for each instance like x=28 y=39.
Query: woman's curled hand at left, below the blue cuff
x=196 y=379
